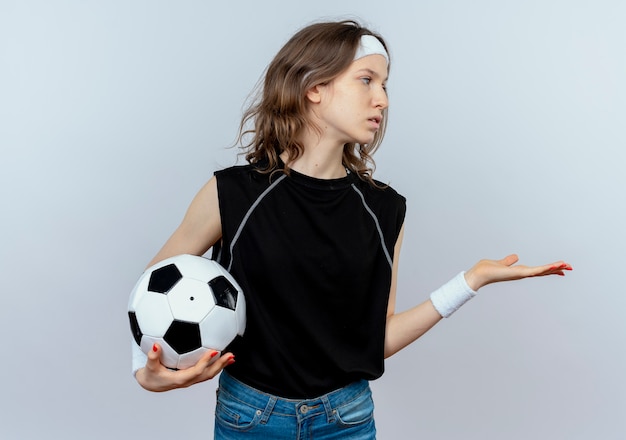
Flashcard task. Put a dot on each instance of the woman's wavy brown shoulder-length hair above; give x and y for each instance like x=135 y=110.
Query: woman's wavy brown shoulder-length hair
x=271 y=124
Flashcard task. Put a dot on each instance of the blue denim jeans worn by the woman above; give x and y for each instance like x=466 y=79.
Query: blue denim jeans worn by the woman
x=243 y=412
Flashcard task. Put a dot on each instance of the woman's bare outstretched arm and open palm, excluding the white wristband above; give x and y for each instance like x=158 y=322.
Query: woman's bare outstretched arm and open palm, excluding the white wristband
x=406 y=327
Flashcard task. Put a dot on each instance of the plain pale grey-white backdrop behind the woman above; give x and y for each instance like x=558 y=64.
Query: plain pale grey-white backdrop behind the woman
x=506 y=134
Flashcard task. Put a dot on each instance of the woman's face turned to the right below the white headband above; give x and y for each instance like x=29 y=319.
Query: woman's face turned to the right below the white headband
x=349 y=108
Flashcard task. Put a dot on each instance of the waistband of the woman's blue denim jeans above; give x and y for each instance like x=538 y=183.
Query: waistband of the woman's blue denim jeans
x=296 y=407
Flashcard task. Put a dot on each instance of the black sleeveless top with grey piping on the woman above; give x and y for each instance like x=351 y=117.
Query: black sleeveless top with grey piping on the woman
x=314 y=259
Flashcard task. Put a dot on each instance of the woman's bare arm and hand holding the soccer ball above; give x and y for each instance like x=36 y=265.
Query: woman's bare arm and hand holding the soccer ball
x=200 y=229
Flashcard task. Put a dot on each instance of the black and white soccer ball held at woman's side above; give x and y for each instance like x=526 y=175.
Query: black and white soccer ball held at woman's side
x=188 y=305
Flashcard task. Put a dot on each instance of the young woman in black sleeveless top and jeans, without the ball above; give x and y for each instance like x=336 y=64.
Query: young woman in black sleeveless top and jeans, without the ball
x=314 y=242
